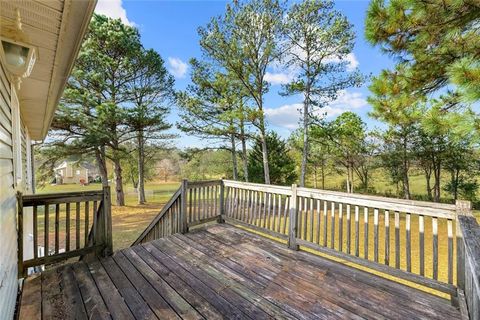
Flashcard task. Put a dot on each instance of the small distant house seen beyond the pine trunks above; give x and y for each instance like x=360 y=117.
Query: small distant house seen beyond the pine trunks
x=69 y=172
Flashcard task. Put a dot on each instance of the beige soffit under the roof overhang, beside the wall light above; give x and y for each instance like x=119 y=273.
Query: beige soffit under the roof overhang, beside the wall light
x=56 y=28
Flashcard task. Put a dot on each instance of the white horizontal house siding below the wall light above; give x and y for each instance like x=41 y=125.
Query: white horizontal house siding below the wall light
x=8 y=231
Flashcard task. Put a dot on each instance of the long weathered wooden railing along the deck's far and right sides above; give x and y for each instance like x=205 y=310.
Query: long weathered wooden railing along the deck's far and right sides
x=416 y=241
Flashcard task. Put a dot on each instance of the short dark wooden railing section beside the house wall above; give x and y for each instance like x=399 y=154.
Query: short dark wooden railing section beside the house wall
x=64 y=225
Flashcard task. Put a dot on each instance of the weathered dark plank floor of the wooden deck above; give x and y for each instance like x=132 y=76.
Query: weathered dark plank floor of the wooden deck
x=221 y=272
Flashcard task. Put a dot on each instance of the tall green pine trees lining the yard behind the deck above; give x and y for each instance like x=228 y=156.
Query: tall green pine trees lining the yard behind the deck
x=116 y=102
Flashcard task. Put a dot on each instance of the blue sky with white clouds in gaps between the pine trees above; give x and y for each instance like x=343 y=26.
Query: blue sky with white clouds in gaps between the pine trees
x=170 y=27
